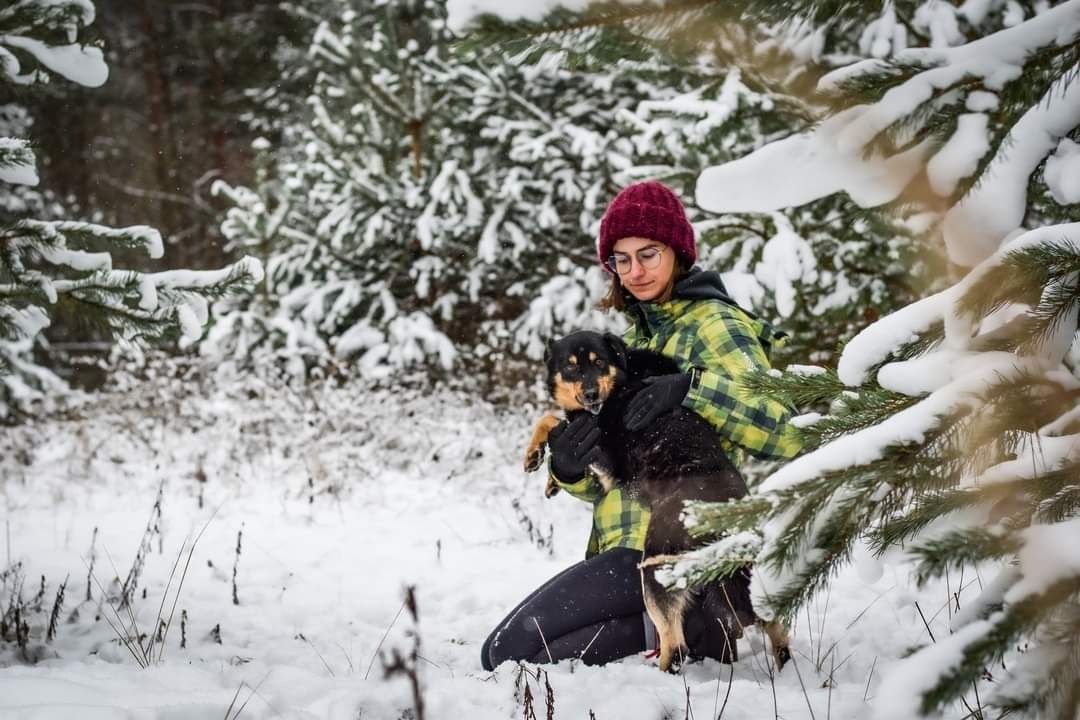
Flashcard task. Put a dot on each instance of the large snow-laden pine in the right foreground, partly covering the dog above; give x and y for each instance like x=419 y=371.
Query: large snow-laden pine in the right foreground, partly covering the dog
x=951 y=428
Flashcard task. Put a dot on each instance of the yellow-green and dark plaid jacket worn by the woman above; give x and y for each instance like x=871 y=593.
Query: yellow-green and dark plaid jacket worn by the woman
x=715 y=344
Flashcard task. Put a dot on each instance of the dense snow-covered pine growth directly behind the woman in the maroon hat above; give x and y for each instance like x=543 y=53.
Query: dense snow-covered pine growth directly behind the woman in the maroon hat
x=532 y=144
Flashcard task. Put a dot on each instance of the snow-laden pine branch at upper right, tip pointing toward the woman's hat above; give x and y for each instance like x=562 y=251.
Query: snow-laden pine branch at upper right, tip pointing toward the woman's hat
x=978 y=119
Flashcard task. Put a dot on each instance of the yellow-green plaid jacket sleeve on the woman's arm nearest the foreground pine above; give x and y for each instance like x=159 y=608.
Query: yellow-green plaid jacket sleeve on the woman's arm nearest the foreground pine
x=724 y=350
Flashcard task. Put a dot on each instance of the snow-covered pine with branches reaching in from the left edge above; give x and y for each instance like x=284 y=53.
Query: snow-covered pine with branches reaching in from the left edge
x=49 y=266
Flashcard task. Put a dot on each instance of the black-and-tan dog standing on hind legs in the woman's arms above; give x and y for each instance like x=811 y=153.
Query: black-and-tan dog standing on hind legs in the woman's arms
x=674 y=460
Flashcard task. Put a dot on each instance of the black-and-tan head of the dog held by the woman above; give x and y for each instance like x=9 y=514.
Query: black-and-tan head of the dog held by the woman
x=585 y=369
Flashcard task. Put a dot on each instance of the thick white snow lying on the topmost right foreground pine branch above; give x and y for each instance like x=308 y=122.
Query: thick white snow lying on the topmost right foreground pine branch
x=804 y=168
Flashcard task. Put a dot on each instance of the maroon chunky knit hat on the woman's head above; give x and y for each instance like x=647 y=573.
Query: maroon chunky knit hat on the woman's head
x=647 y=210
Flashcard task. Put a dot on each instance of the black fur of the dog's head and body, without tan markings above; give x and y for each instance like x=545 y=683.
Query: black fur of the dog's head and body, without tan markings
x=677 y=459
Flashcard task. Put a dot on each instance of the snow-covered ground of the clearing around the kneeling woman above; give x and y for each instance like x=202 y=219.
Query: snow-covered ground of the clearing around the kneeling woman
x=344 y=500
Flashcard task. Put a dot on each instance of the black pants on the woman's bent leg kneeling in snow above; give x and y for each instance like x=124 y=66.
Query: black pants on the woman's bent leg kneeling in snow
x=592 y=610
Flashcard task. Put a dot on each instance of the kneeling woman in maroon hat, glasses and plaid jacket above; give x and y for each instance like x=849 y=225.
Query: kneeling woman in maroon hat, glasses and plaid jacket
x=595 y=610
